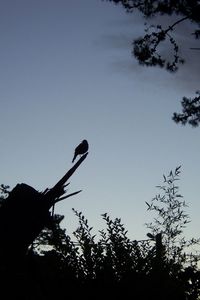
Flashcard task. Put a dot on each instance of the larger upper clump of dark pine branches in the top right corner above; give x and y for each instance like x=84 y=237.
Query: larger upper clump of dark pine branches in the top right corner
x=145 y=48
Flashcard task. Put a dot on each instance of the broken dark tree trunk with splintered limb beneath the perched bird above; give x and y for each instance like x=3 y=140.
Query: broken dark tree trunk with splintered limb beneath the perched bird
x=25 y=212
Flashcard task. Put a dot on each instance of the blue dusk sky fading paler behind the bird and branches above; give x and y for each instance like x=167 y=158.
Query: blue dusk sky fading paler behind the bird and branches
x=67 y=74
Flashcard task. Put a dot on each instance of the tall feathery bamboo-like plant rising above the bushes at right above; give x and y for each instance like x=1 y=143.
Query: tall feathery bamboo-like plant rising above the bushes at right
x=170 y=220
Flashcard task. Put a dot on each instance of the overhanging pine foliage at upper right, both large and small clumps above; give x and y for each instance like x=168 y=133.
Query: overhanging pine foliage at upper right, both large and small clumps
x=148 y=48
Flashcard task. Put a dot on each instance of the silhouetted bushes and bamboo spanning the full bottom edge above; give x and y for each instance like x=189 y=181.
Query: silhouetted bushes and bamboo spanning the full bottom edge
x=112 y=265
